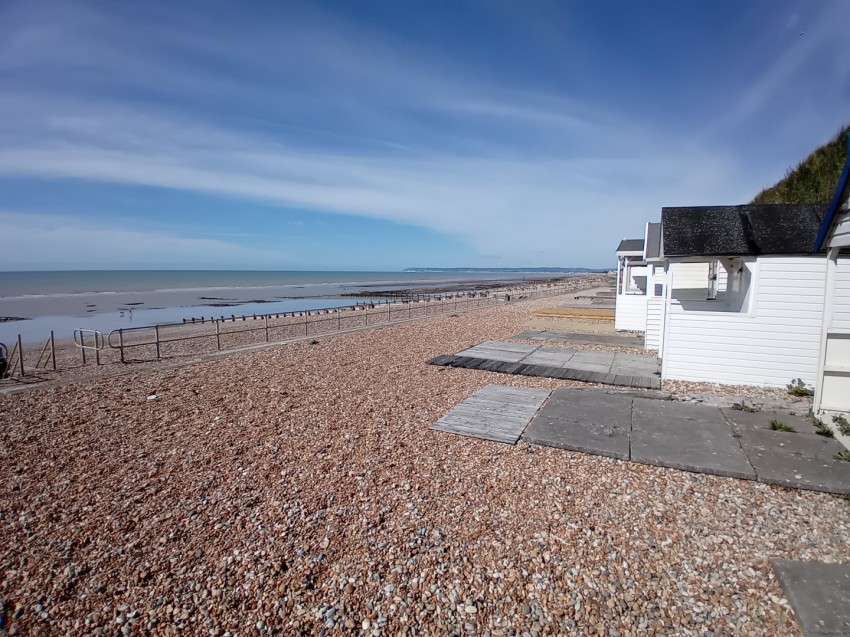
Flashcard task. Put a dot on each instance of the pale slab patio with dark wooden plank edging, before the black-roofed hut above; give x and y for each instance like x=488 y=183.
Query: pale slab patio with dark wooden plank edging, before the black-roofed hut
x=609 y=368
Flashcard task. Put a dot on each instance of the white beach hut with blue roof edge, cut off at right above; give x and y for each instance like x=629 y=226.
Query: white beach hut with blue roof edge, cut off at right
x=832 y=387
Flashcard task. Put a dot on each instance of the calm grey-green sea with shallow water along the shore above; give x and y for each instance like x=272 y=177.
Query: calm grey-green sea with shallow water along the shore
x=104 y=300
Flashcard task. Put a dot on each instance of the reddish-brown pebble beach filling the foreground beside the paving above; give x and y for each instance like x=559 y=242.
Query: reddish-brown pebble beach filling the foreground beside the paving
x=299 y=490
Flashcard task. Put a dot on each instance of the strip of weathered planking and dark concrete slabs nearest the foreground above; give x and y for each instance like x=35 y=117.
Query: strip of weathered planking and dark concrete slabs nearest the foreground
x=663 y=433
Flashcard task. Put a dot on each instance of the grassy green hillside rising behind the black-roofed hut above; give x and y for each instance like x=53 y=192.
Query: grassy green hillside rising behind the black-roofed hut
x=814 y=179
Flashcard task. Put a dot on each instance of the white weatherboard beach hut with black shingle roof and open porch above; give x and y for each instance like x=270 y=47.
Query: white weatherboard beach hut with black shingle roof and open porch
x=744 y=293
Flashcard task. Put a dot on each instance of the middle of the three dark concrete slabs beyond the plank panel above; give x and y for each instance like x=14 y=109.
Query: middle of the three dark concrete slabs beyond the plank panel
x=690 y=445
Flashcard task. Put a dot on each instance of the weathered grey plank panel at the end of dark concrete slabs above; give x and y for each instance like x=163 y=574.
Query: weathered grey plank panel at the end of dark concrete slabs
x=494 y=412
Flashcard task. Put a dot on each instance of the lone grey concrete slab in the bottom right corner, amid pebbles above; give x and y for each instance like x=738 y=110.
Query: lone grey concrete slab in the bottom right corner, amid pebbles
x=818 y=594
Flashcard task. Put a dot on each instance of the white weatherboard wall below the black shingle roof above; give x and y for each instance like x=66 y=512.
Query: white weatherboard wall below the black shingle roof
x=777 y=337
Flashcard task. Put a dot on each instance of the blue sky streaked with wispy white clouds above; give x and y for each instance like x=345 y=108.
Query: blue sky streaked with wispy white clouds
x=384 y=135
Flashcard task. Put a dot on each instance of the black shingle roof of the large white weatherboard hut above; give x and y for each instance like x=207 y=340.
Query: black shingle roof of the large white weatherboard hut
x=741 y=230
